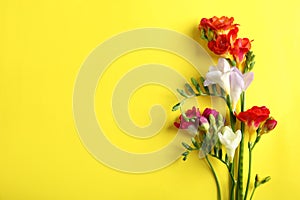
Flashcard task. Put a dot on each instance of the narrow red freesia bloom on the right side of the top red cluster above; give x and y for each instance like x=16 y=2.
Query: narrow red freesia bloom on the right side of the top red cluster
x=240 y=48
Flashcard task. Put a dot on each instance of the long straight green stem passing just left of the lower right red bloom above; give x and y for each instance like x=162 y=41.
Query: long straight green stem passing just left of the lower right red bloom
x=241 y=153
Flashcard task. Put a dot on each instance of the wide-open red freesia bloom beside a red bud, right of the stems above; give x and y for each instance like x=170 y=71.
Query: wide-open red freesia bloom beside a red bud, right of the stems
x=254 y=116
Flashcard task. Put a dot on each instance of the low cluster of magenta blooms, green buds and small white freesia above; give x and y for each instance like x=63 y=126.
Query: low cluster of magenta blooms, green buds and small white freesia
x=209 y=133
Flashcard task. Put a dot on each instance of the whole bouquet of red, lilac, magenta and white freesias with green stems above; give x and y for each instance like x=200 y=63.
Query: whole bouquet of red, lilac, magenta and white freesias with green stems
x=223 y=137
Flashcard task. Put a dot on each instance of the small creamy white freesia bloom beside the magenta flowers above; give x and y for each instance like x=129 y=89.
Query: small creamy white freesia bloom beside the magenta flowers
x=230 y=140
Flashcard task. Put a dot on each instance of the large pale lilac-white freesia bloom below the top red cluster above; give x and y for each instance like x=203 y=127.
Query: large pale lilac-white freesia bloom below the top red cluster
x=229 y=78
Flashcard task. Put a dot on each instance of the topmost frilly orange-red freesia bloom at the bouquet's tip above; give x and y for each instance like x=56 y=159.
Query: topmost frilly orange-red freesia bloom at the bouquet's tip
x=215 y=23
